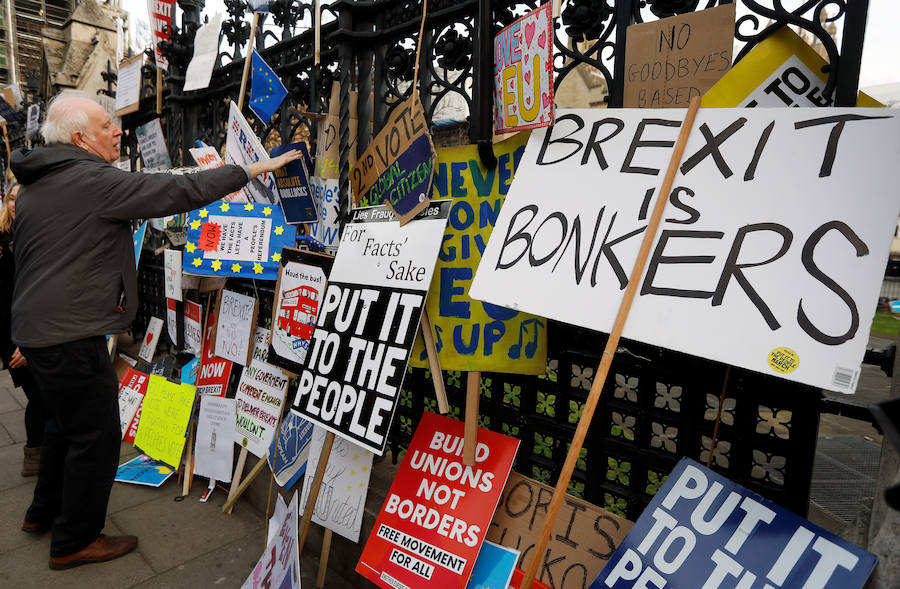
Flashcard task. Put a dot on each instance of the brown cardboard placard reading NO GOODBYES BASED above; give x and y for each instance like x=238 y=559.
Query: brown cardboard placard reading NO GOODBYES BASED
x=670 y=61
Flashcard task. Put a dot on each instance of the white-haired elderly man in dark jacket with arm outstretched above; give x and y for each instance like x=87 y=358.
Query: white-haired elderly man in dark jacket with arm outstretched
x=76 y=282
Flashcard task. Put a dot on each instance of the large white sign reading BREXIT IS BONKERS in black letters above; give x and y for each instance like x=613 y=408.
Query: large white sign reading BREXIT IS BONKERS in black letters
x=759 y=237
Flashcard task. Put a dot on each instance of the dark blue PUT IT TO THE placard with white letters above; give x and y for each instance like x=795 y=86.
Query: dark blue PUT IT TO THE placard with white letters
x=702 y=531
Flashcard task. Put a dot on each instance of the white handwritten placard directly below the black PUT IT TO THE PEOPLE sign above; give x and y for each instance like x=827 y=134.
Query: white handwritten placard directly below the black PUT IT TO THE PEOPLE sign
x=342 y=496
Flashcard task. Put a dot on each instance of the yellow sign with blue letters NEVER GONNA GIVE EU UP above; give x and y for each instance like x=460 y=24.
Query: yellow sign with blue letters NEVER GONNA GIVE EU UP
x=470 y=334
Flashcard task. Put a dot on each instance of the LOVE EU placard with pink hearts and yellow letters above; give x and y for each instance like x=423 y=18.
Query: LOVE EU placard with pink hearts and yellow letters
x=523 y=73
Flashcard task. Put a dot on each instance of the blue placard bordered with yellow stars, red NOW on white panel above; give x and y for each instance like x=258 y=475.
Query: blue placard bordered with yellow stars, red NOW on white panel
x=237 y=239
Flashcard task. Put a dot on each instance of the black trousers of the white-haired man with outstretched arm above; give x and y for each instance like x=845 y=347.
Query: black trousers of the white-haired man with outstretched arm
x=80 y=452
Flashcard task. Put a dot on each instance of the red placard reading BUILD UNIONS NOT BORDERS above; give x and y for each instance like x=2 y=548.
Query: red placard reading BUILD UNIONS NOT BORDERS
x=431 y=526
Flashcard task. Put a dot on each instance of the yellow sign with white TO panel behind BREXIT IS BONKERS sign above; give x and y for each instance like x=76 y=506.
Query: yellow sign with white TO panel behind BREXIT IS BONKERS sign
x=782 y=70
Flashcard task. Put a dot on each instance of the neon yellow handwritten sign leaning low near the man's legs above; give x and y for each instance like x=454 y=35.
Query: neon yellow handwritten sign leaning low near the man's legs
x=164 y=419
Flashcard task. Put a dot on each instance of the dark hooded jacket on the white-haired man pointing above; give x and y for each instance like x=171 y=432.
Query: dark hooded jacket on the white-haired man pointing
x=75 y=271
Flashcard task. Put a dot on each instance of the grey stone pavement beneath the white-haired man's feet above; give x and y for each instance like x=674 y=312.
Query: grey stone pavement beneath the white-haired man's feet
x=180 y=544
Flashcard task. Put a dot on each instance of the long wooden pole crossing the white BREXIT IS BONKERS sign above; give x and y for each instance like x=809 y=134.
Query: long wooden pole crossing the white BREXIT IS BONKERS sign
x=559 y=493
